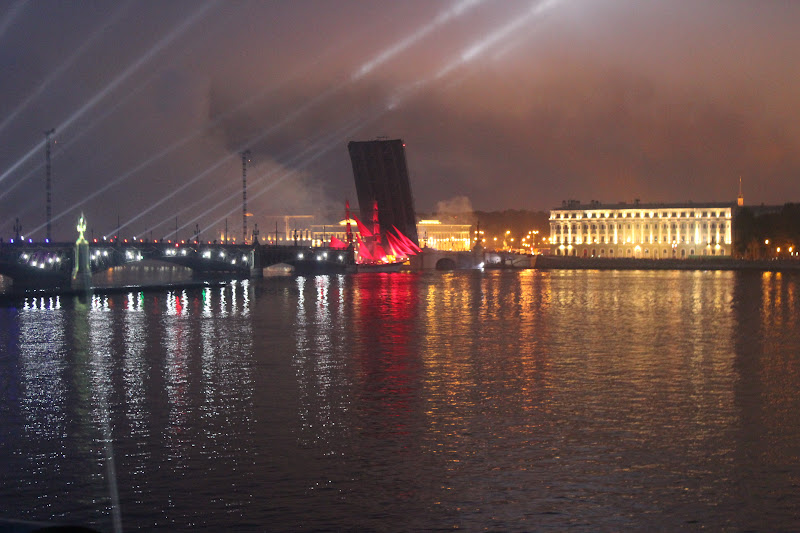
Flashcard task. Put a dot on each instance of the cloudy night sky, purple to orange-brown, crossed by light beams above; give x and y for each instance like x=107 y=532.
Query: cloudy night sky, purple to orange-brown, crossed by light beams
x=502 y=104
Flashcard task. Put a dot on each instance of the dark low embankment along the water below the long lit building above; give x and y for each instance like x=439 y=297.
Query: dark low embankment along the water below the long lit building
x=700 y=263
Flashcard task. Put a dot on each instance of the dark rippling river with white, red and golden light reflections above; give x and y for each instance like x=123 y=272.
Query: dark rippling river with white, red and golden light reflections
x=503 y=400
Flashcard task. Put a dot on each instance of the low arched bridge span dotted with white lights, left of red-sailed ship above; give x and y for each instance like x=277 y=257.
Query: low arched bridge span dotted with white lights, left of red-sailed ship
x=46 y=265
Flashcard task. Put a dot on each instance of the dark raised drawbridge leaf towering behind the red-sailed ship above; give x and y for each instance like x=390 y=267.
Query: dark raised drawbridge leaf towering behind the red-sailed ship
x=381 y=175
